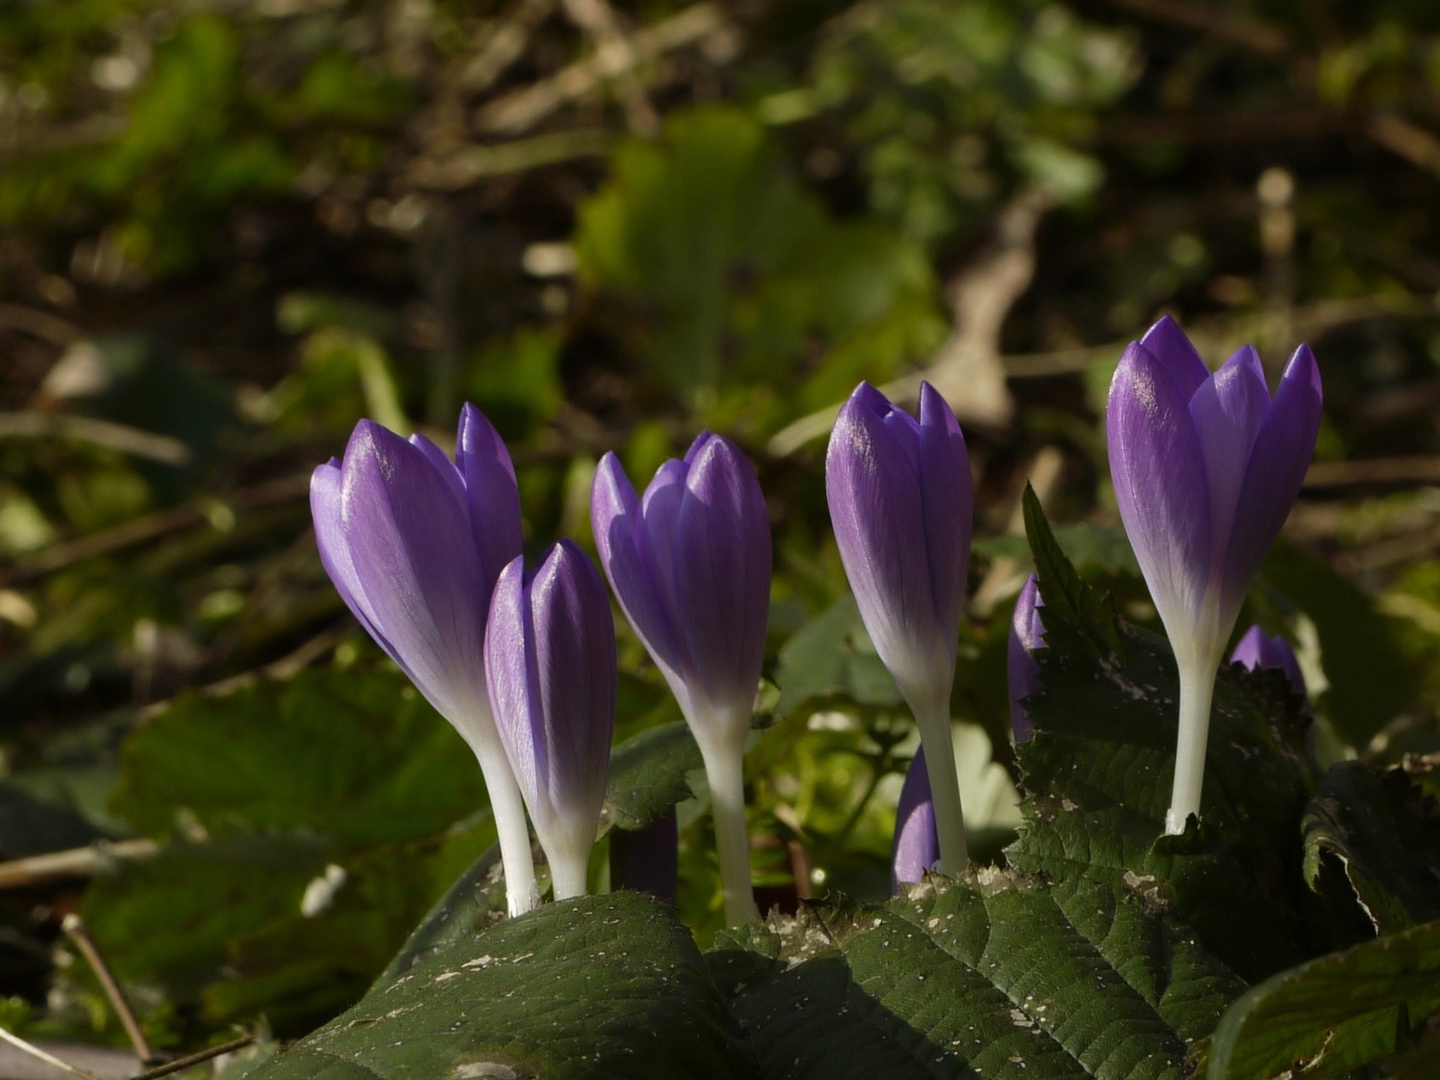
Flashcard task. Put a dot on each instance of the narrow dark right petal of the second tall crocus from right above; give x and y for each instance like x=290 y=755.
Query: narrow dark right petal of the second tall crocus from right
x=947 y=499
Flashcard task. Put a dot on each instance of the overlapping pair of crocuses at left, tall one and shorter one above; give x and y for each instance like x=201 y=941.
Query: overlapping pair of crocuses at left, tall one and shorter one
x=417 y=545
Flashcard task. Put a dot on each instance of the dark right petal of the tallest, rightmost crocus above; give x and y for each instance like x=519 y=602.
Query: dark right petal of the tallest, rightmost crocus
x=1278 y=464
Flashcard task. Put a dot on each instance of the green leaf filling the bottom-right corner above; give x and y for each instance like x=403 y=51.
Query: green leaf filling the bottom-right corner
x=1333 y=1014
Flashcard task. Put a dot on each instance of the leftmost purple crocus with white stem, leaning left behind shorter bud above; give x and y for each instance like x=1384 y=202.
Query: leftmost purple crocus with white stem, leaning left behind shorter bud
x=414 y=545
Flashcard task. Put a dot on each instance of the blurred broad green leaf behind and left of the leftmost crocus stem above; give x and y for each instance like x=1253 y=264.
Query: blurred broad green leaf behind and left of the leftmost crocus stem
x=354 y=755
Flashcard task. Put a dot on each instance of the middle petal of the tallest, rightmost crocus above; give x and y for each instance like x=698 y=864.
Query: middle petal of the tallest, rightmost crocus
x=1229 y=410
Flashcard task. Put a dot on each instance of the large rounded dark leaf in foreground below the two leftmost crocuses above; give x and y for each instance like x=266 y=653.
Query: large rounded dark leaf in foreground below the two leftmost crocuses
x=601 y=987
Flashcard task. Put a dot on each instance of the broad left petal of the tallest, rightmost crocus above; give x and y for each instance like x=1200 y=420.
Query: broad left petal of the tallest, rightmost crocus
x=1160 y=480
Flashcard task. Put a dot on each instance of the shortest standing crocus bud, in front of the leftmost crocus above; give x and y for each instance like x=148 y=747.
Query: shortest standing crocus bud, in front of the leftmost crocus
x=552 y=673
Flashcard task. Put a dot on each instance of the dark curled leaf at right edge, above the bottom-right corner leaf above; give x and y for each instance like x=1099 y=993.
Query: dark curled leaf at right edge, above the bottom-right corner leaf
x=1386 y=834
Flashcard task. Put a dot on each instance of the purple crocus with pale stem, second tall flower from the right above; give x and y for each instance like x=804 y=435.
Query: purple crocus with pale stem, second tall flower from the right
x=901 y=503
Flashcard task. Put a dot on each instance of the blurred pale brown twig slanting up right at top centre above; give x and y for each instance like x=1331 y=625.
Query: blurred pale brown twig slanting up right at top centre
x=526 y=107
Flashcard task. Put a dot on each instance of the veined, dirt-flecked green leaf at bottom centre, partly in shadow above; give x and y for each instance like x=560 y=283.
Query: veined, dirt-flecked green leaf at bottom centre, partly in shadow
x=996 y=977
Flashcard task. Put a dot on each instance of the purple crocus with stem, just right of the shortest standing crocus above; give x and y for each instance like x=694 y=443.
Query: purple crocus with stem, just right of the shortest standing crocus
x=690 y=565
